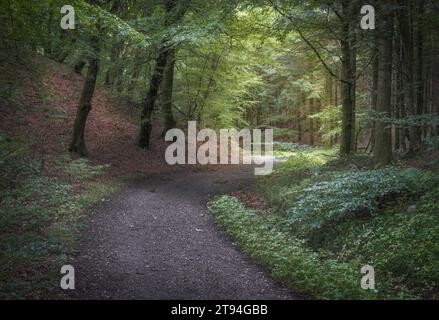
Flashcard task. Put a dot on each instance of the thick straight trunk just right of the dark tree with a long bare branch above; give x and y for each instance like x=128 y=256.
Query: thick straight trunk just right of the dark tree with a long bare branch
x=383 y=131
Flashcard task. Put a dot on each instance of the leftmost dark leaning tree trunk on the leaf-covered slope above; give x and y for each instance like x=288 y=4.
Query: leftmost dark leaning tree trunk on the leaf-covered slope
x=78 y=141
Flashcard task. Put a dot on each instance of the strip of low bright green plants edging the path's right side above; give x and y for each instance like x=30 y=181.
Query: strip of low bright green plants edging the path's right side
x=287 y=257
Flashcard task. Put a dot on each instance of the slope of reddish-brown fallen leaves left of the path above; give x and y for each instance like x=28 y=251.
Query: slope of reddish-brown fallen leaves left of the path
x=42 y=101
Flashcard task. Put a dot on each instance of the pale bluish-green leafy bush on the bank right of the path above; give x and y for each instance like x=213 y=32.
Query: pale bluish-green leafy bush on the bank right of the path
x=354 y=193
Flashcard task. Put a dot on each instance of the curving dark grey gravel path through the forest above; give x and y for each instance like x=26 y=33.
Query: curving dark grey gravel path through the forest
x=157 y=240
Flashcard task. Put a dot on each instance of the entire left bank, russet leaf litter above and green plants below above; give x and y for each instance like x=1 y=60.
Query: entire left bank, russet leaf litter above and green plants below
x=45 y=192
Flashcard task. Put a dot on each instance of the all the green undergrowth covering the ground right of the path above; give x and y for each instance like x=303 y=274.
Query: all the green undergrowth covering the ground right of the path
x=328 y=217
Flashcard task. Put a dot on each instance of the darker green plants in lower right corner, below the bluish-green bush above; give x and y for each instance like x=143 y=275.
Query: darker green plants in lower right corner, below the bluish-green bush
x=401 y=244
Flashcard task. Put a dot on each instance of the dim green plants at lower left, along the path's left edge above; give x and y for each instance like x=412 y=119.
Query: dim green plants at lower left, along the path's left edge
x=39 y=220
